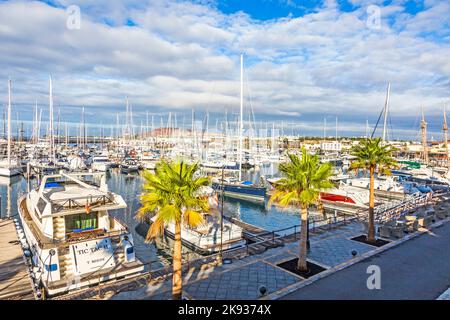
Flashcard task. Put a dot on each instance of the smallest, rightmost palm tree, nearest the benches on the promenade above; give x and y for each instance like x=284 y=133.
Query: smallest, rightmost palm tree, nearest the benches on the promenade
x=374 y=156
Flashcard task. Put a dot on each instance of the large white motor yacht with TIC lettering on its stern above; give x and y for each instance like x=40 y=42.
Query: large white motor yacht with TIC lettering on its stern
x=73 y=240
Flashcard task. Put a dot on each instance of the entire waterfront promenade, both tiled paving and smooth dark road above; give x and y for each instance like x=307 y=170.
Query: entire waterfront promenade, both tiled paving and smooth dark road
x=408 y=270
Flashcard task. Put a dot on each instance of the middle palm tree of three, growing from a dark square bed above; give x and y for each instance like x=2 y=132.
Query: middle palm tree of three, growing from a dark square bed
x=304 y=178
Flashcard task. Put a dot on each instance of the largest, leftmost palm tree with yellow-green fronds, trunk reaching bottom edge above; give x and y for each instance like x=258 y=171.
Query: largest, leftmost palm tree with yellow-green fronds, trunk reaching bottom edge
x=172 y=193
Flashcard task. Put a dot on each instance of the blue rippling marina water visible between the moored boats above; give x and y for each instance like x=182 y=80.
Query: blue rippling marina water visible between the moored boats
x=129 y=187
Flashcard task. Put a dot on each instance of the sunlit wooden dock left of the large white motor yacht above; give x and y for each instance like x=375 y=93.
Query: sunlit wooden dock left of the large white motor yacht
x=15 y=283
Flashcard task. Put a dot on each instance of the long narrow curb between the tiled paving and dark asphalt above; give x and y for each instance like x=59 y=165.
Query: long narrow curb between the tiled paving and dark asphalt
x=294 y=287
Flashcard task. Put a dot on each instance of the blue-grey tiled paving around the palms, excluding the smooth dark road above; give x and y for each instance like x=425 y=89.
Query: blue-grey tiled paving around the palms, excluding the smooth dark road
x=242 y=278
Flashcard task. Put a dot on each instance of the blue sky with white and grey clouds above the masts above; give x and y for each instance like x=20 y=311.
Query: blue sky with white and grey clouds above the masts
x=305 y=60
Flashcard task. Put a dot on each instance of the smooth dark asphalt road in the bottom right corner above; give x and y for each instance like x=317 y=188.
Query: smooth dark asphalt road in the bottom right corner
x=416 y=269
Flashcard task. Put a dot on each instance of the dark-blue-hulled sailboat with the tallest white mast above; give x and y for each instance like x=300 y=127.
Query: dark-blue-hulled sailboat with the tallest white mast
x=236 y=188
